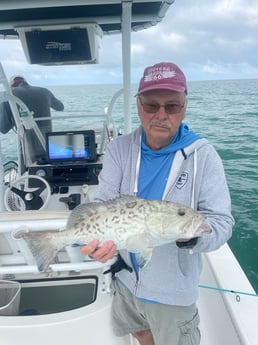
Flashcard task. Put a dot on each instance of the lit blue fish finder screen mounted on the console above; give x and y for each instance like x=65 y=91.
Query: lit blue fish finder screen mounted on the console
x=71 y=146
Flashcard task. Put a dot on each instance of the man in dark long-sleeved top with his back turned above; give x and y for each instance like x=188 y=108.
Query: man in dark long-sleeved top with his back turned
x=39 y=100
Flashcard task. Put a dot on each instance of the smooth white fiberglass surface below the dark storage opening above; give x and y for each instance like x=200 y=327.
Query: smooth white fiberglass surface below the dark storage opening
x=88 y=325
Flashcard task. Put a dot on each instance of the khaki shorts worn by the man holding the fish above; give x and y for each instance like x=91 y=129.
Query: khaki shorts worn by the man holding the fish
x=170 y=325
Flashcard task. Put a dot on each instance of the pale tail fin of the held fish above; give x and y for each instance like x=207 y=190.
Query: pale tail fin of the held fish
x=41 y=245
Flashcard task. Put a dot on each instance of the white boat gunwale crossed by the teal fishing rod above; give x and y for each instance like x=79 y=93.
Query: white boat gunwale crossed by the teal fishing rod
x=226 y=317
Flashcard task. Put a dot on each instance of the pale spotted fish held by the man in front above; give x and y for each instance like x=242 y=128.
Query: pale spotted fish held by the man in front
x=132 y=223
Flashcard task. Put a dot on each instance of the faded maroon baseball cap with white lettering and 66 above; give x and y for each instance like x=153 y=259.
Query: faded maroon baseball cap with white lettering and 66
x=163 y=75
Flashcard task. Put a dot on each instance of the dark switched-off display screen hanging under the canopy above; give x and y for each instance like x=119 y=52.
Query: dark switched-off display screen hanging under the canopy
x=58 y=46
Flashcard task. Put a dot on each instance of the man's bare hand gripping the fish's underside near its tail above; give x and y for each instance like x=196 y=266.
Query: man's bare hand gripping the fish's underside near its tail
x=101 y=254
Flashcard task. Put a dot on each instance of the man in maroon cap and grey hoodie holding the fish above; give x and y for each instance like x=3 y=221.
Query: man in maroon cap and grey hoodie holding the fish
x=163 y=159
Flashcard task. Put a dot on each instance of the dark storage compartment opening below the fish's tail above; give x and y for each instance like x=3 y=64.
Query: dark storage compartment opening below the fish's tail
x=57 y=295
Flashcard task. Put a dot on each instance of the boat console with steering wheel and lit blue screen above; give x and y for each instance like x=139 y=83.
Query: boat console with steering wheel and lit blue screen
x=61 y=179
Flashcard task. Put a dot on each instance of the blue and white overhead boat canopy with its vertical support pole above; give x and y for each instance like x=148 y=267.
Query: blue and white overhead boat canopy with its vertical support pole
x=112 y=16
